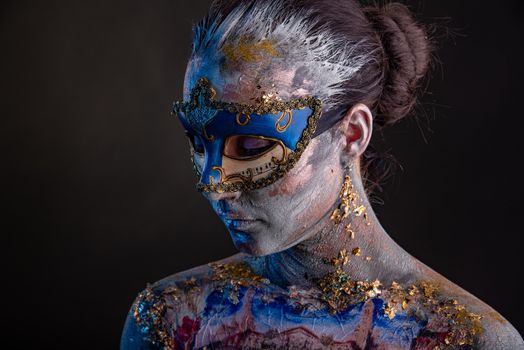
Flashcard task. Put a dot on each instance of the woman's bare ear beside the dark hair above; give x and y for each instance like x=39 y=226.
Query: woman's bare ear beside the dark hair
x=357 y=127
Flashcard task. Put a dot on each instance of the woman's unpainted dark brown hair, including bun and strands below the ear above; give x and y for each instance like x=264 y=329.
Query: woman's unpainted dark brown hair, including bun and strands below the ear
x=399 y=56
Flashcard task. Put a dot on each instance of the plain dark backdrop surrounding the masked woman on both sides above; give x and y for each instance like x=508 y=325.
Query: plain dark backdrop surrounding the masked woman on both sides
x=97 y=185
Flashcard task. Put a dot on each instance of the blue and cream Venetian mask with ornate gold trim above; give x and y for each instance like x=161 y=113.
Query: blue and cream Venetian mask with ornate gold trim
x=240 y=147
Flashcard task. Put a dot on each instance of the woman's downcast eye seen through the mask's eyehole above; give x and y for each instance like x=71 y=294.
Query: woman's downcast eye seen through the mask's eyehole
x=245 y=147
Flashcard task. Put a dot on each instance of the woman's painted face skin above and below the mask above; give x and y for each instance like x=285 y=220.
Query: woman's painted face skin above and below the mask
x=280 y=215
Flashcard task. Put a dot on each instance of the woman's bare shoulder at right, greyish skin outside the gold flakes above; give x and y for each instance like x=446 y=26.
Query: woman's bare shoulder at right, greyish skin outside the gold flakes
x=494 y=331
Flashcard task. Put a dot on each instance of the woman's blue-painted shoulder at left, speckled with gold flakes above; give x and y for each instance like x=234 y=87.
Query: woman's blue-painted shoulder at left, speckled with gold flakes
x=173 y=305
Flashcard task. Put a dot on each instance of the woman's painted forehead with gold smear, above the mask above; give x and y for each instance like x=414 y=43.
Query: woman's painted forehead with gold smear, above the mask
x=246 y=71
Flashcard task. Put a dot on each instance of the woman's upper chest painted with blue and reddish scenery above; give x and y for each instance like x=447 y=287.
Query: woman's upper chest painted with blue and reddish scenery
x=257 y=319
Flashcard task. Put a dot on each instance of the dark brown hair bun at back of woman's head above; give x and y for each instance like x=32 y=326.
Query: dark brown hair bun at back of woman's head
x=406 y=57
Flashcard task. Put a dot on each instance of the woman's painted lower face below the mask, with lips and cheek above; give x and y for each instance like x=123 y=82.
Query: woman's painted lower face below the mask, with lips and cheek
x=276 y=217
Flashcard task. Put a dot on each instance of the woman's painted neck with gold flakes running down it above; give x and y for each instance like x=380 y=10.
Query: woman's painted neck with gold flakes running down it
x=359 y=236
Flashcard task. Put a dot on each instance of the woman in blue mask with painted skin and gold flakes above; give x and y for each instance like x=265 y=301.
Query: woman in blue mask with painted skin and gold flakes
x=281 y=99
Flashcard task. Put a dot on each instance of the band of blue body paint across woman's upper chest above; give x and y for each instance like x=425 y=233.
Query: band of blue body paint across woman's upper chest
x=281 y=314
